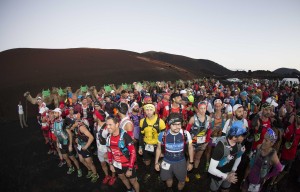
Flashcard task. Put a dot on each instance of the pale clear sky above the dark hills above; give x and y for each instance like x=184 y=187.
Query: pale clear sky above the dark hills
x=238 y=34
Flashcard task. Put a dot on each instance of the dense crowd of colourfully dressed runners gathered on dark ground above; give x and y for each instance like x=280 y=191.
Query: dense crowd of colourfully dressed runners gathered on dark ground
x=171 y=128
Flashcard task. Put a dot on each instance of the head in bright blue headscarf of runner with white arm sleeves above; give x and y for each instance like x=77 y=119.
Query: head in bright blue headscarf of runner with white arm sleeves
x=237 y=131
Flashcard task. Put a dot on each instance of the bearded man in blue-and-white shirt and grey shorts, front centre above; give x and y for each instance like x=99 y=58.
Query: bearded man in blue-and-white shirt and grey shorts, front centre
x=175 y=141
